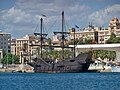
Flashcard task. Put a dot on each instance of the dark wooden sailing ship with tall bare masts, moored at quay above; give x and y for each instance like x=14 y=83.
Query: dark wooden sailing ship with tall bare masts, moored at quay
x=76 y=64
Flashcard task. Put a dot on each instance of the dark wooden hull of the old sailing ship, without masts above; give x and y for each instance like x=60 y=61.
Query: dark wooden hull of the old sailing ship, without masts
x=78 y=64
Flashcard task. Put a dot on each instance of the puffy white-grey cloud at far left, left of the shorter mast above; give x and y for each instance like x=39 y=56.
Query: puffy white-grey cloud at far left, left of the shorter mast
x=15 y=20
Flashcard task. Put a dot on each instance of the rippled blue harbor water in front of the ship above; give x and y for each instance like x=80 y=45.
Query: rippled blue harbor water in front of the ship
x=60 y=81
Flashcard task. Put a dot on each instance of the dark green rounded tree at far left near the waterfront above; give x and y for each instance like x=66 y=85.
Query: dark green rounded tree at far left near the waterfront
x=9 y=59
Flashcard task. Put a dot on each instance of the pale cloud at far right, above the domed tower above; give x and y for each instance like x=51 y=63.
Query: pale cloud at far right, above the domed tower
x=102 y=17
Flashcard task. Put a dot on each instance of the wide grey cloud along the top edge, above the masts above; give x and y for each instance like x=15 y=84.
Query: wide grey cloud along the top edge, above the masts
x=50 y=7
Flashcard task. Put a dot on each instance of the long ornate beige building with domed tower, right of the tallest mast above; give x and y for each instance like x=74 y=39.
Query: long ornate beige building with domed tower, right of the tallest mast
x=97 y=34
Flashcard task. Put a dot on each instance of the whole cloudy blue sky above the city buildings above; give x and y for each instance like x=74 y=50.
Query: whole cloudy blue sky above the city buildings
x=21 y=17
